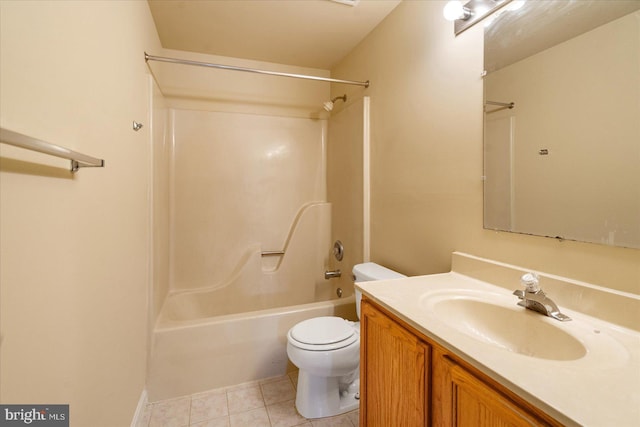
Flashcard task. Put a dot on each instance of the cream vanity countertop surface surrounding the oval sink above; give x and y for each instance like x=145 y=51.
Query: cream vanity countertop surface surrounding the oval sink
x=600 y=389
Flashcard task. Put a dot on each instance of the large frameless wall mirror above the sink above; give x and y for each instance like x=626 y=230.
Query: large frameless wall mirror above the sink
x=563 y=160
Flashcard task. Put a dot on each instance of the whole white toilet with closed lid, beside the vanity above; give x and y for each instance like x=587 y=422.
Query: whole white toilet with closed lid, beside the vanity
x=326 y=351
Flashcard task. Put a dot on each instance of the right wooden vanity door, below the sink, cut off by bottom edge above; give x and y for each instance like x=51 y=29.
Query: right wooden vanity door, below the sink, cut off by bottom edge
x=463 y=400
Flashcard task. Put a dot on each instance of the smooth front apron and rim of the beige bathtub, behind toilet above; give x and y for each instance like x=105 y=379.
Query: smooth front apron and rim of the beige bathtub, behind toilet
x=191 y=355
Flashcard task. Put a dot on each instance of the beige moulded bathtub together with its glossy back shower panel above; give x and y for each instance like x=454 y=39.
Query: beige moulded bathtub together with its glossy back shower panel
x=250 y=230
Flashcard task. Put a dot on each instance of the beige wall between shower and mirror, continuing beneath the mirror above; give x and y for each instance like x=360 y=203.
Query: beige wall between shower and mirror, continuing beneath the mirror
x=426 y=130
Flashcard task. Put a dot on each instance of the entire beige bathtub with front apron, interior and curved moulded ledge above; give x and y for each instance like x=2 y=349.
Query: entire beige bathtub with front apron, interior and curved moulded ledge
x=235 y=331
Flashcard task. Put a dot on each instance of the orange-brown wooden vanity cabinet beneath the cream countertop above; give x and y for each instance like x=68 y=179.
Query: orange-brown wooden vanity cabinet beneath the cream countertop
x=408 y=380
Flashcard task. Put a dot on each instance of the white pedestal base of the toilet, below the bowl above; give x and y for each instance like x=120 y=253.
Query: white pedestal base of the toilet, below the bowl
x=319 y=397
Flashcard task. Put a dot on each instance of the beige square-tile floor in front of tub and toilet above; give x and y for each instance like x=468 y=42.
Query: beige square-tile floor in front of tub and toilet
x=266 y=403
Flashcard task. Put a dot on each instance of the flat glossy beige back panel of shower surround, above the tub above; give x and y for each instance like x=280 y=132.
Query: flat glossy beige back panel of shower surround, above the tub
x=240 y=181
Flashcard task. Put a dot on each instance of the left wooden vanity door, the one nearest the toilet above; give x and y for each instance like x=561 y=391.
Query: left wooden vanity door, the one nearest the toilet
x=393 y=373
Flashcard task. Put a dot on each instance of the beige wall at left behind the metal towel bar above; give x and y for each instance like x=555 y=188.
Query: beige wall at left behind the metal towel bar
x=75 y=249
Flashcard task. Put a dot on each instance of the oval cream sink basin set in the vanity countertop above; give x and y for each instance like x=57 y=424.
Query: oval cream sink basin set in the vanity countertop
x=510 y=328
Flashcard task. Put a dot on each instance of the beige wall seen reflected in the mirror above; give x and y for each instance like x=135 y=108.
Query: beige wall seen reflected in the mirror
x=588 y=186
